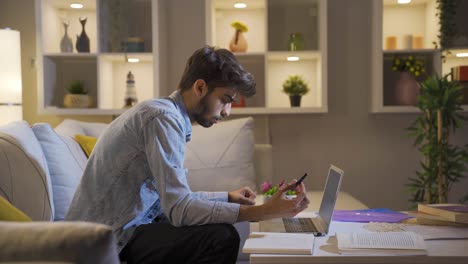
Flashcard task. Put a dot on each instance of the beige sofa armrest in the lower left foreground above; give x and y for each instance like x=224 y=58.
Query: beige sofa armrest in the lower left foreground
x=75 y=242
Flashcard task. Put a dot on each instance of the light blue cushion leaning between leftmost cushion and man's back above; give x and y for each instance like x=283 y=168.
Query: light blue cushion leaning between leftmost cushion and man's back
x=66 y=162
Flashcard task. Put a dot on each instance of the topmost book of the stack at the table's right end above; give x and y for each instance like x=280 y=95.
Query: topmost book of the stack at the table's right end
x=451 y=212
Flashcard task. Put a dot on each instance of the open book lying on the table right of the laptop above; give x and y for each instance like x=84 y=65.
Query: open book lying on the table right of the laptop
x=381 y=243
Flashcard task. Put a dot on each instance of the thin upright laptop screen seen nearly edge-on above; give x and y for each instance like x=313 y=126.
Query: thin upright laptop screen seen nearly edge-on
x=330 y=194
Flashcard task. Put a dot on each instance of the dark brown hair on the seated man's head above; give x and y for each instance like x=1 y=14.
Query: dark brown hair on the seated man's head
x=218 y=68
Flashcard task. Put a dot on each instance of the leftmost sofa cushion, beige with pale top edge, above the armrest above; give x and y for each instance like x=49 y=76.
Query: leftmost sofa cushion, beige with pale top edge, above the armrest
x=24 y=175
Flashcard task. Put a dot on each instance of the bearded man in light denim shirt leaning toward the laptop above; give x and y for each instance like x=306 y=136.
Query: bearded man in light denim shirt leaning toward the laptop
x=135 y=181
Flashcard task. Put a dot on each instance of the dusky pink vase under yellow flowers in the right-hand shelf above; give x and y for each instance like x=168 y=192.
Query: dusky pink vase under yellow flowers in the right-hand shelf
x=406 y=89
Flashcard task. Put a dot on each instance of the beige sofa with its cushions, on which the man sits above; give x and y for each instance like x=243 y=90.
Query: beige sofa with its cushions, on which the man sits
x=40 y=168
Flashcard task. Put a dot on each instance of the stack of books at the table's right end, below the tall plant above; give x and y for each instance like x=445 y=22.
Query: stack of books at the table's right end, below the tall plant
x=442 y=214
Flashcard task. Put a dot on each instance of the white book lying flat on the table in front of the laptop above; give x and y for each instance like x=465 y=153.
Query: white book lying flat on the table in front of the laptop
x=279 y=243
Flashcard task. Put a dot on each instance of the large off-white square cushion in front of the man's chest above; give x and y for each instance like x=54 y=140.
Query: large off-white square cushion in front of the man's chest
x=220 y=158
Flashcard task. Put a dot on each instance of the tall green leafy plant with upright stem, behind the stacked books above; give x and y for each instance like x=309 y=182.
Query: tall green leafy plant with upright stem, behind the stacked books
x=443 y=163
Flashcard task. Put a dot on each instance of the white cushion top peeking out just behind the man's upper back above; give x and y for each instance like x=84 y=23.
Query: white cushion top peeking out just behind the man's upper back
x=71 y=127
